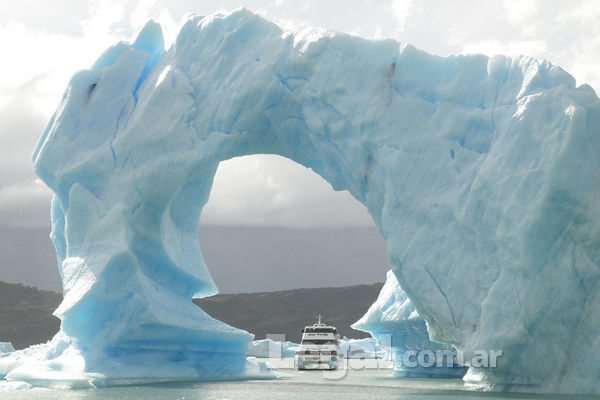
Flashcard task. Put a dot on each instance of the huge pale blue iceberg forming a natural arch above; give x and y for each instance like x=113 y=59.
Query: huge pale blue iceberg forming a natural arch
x=480 y=173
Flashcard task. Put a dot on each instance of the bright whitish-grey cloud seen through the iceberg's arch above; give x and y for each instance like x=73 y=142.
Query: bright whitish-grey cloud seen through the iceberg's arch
x=270 y=190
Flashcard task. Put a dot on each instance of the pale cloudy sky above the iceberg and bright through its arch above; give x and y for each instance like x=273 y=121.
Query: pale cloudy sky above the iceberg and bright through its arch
x=44 y=42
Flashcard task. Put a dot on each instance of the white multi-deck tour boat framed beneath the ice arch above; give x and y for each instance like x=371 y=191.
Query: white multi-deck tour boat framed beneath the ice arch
x=320 y=348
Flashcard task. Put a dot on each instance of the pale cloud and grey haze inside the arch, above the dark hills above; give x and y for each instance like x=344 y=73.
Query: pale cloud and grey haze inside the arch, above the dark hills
x=272 y=224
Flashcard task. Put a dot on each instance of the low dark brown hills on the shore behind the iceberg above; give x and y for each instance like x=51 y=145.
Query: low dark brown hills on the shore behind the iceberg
x=26 y=313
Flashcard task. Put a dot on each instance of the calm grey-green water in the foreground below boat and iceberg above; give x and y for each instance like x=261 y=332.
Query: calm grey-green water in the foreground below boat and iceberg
x=356 y=384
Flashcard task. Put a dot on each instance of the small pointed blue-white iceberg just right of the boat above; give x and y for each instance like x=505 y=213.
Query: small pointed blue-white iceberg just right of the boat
x=396 y=325
